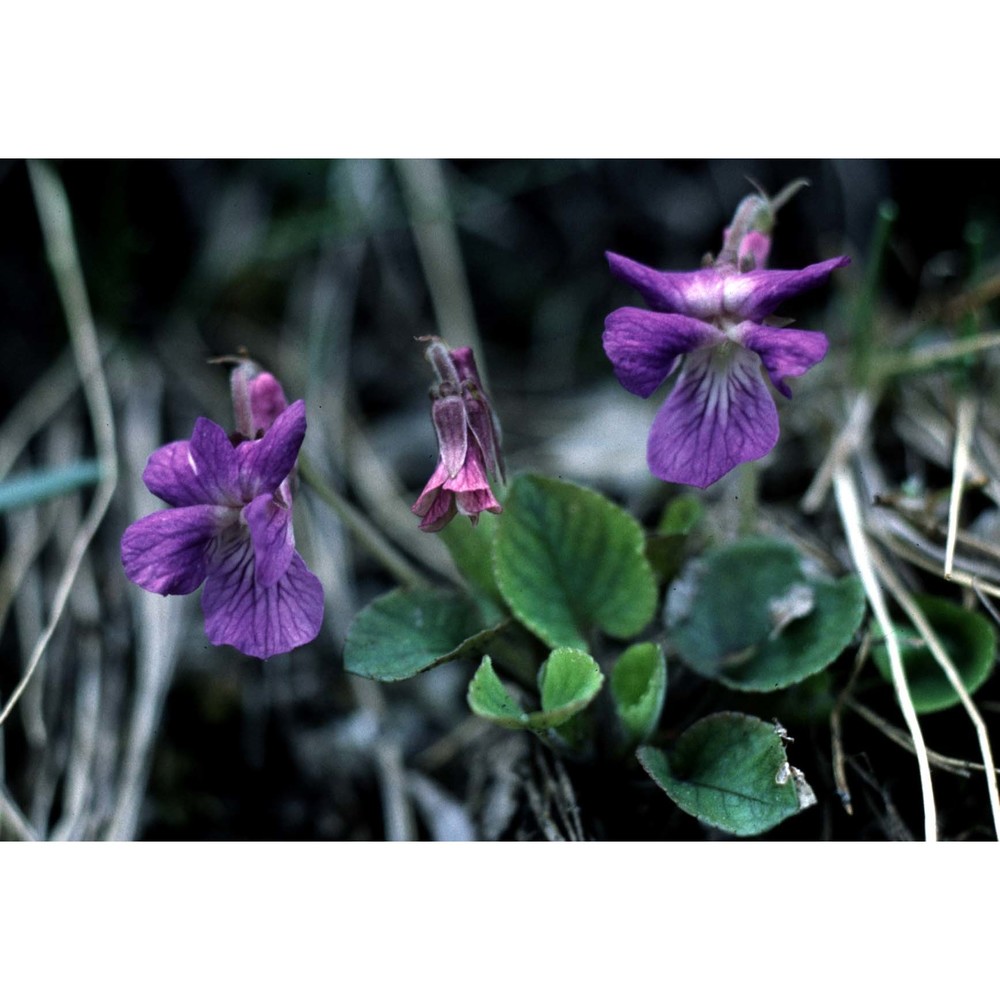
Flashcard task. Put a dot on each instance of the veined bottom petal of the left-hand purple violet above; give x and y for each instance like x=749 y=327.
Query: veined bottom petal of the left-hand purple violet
x=260 y=621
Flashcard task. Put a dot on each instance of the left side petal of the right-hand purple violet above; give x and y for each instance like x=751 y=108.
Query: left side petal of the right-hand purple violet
x=644 y=346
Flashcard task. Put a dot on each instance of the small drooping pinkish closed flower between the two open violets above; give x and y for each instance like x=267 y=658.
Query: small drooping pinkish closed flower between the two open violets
x=468 y=441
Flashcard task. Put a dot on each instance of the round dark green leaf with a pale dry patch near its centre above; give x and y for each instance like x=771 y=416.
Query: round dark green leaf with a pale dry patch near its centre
x=756 y=617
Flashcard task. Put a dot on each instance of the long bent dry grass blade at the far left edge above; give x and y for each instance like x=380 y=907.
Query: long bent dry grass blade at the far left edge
x=57 y=231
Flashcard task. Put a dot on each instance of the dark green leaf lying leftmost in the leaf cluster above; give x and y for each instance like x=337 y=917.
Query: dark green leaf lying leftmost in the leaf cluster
x=406 y=631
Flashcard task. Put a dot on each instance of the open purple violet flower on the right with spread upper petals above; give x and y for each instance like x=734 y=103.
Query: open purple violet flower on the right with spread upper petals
x=720 y=412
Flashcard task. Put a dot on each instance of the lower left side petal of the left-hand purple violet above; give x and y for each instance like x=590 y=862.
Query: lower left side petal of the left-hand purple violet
x=169 y=552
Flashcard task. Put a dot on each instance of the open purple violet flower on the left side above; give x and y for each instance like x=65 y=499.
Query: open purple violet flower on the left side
x=230 y=524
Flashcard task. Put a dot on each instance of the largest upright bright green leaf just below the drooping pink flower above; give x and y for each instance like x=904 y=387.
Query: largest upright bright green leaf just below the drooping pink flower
x=568 y=560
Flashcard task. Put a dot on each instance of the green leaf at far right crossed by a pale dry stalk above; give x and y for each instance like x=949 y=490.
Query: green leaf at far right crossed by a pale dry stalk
x=967 y=637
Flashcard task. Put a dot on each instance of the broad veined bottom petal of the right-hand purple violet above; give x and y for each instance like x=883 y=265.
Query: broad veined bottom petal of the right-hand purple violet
x=719 y=414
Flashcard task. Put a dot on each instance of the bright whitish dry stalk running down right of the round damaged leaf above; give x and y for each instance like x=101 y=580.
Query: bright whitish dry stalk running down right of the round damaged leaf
x=851 y=518
